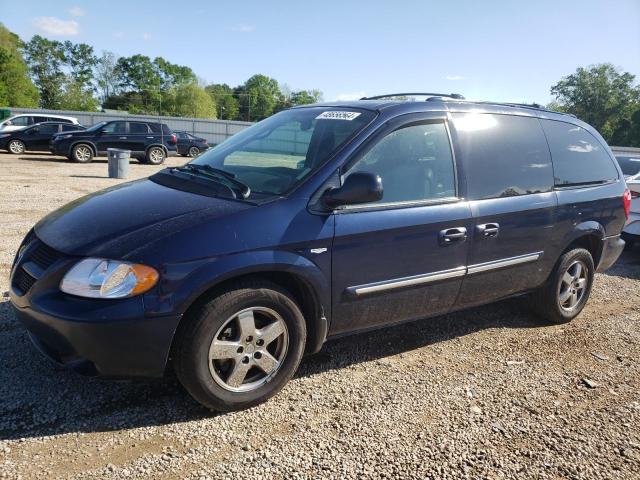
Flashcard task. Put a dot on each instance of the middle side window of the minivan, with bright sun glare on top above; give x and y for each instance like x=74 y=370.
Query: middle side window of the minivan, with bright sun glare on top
x=503 y=155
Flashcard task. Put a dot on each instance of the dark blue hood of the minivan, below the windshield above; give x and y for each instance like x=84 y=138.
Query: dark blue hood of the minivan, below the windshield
x=120 y=219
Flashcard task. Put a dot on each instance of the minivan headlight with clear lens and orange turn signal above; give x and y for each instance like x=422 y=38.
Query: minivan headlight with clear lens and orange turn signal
x=100 y=278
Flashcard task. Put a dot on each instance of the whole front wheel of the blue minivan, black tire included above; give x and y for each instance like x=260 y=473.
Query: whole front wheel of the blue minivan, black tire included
x=219 y=357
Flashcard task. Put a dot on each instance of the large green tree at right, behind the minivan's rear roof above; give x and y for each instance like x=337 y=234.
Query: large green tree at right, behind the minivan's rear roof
x=602 y=96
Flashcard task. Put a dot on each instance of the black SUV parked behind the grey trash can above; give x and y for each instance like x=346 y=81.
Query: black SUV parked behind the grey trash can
x=148 y=142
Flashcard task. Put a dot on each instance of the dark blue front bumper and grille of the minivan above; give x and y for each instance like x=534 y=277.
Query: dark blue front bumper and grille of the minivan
x=112 y=338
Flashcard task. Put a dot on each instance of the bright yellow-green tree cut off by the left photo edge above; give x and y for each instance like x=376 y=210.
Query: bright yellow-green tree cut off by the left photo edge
x=16 y=88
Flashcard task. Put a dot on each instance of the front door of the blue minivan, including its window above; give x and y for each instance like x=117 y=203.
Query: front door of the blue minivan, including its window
x=403 y=257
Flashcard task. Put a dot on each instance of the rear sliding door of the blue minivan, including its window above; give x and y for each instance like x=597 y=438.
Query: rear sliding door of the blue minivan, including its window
x=509 y=177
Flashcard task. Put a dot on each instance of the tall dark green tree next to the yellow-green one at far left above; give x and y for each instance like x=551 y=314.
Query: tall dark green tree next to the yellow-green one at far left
x=46 y=59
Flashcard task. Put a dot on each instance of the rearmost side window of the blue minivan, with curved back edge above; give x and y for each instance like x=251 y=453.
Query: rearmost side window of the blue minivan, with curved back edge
x=578 y=157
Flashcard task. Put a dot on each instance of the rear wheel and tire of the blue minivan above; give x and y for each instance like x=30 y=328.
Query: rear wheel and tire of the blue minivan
x=566 y=291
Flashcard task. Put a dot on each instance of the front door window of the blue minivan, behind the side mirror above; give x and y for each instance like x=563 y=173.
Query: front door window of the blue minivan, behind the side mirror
x=415 y=163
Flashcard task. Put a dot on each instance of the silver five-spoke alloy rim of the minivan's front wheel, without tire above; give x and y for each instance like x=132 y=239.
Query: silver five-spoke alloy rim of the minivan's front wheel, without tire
x=248 y=349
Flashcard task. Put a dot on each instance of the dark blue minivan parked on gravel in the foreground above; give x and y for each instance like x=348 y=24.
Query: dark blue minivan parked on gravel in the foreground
x=321 y=221
